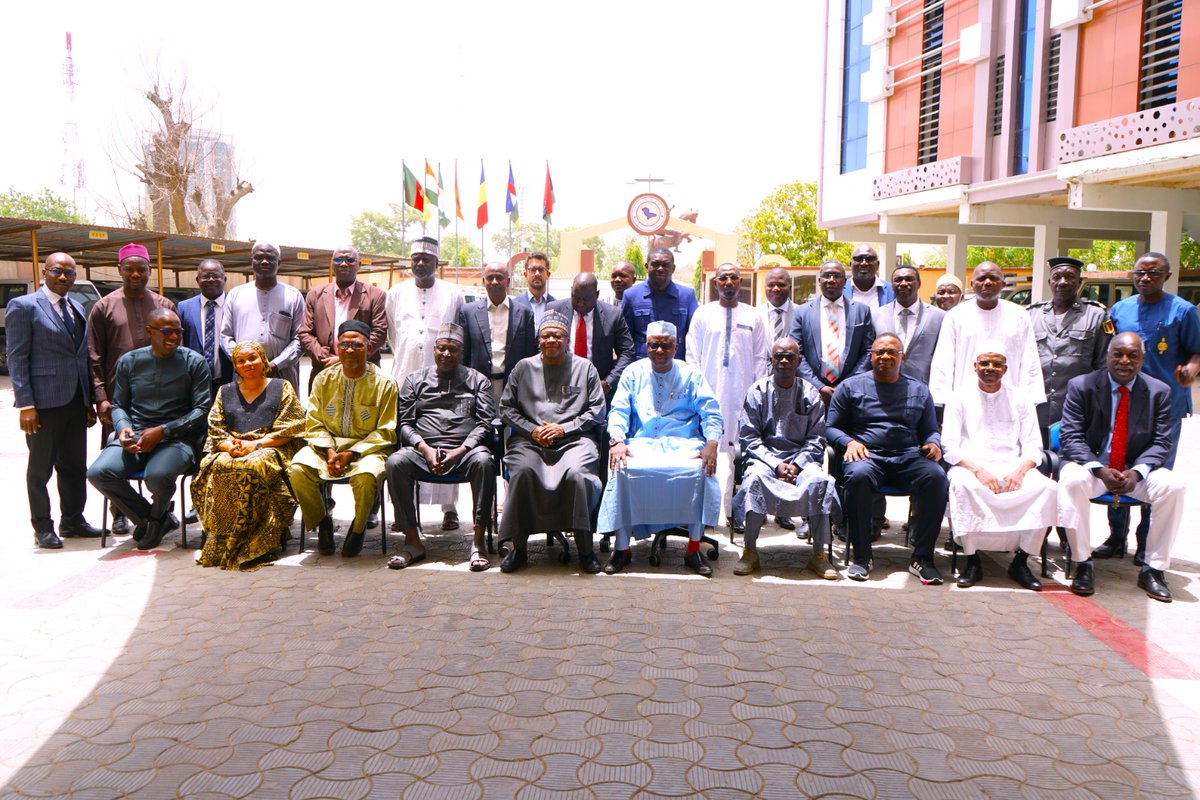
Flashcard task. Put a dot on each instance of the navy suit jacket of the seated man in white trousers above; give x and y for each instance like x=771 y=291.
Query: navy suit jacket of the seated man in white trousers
x=1088 y=411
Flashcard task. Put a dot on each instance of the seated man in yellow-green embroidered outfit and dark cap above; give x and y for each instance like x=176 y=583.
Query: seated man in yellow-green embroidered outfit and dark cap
x=350 y=428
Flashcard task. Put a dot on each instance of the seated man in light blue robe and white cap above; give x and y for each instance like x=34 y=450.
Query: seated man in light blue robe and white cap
x=664 y=418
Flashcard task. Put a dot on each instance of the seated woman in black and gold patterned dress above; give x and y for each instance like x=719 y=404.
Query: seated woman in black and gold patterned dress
x=241 y=491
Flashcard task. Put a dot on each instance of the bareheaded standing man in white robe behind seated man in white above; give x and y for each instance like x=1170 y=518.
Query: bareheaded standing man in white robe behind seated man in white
x=986 y=318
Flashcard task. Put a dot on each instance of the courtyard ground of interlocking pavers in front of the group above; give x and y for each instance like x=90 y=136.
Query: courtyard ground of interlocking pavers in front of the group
x=142 y=675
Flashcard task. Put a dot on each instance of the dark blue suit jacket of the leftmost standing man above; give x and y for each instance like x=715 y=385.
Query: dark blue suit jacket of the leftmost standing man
x=46 y=363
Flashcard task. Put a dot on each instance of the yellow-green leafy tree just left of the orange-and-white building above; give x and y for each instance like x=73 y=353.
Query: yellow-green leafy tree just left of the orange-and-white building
x=785 y=224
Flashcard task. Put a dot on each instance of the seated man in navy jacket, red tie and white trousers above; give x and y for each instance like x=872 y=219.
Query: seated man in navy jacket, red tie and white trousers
x=1117 y=436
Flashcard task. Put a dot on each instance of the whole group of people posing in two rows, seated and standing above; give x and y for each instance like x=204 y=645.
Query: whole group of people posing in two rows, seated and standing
x=614 y=416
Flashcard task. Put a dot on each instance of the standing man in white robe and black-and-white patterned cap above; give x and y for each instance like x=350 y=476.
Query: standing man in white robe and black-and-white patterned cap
x=417 y=311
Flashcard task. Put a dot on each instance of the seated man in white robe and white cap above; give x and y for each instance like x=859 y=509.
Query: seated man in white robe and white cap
x=998 y=501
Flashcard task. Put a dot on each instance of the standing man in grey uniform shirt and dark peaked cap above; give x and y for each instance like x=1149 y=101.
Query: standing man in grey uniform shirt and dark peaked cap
x=1071 y=338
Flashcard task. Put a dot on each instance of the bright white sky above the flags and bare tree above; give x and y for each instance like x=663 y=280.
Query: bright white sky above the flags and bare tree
x=323 y=101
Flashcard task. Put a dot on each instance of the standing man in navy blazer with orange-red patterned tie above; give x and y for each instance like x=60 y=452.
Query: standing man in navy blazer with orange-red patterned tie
x=855 y=330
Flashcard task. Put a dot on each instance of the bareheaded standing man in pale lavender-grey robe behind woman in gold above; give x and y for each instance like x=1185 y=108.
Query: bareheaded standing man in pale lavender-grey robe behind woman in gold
x=268 y=312
